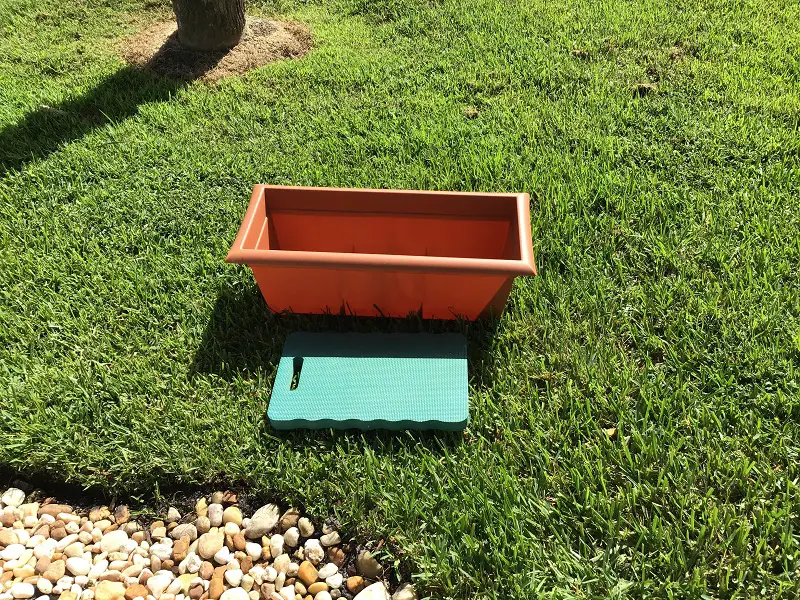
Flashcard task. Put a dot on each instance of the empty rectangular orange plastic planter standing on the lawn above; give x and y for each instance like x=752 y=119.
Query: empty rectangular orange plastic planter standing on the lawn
x=385 y=252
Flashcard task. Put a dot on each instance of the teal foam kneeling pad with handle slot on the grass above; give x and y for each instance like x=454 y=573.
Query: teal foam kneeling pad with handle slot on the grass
x=371 y=381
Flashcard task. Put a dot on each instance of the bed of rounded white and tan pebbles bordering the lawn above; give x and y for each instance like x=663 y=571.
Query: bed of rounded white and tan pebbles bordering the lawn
x=50 y=551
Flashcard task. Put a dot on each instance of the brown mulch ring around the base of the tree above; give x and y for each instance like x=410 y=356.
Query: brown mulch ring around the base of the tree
x=157 y=49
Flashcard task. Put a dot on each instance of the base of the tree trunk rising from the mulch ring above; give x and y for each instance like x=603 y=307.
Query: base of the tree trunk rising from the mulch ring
x=209 y=24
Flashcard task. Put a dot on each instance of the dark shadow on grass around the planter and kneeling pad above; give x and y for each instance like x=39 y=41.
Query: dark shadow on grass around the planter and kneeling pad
x=243 y=337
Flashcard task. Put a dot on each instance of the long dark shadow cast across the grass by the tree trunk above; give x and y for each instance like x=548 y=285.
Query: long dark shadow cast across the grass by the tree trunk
x=43 y=131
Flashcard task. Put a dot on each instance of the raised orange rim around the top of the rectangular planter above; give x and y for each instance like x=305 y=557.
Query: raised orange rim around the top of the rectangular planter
x=402 y=262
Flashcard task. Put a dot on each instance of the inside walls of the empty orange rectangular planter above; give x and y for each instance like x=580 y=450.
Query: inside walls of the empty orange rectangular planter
x=379 y=224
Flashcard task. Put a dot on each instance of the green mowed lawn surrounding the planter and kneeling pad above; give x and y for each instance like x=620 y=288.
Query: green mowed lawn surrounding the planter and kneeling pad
x=635 y=412
